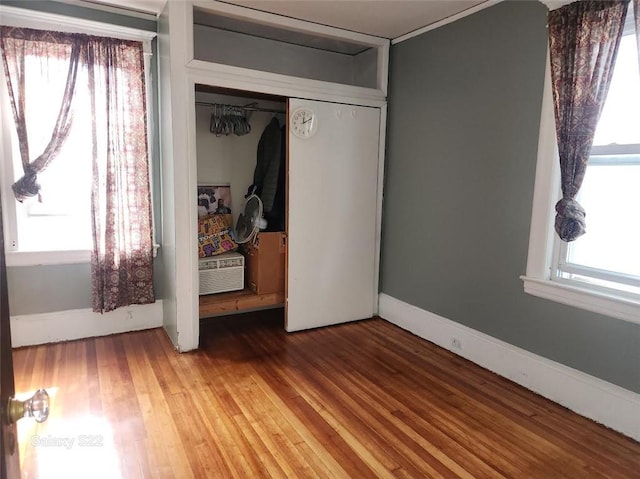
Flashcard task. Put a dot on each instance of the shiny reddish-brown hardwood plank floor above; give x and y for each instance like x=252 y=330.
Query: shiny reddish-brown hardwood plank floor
x=359 y=400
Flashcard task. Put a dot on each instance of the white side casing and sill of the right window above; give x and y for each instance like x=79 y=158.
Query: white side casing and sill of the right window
x=542 y=255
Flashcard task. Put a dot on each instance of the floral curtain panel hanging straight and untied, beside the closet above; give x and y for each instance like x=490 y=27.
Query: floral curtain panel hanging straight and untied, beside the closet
x=121 y=203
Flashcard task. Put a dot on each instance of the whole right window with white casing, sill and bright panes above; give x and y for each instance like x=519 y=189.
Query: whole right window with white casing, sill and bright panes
x=600 y=271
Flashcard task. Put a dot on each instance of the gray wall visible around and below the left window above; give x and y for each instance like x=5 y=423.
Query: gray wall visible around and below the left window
x=41 y=289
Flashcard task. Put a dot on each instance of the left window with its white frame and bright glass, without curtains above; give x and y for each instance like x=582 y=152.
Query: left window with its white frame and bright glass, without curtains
x=58 y=229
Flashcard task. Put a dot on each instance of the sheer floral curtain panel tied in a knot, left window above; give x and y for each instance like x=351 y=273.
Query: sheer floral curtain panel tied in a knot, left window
x=50 y=49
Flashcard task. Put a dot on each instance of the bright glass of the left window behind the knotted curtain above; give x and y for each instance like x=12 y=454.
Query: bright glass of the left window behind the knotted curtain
x=62 y=220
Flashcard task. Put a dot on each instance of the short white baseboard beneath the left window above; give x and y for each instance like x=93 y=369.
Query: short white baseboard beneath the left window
x=31 y=329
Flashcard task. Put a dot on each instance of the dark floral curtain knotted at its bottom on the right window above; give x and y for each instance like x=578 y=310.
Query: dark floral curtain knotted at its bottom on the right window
x=583 y=39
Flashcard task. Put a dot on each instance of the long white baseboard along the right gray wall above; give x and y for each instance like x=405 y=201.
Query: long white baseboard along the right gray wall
x=606 y=403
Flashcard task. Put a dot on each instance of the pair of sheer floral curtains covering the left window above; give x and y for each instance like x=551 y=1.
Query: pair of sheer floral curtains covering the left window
x=112 y=72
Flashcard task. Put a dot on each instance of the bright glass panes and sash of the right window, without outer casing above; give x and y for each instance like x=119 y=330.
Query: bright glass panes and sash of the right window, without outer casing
x=607 y=257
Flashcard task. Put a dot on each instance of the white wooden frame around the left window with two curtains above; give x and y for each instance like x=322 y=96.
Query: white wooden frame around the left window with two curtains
x=19 y=17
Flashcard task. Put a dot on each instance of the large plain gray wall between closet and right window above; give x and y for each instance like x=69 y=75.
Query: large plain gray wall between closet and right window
x=461 y=154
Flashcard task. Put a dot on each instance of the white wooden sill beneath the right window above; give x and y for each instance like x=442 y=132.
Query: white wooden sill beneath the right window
x=610 y=305
